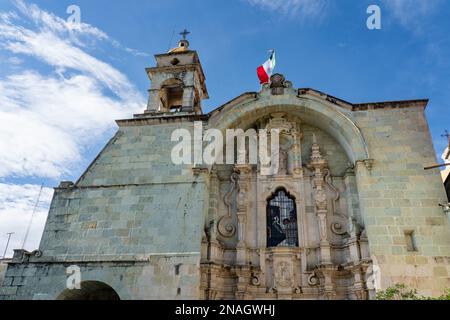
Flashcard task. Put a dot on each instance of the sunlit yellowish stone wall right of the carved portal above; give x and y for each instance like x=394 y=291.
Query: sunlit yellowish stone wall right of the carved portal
x=398 y=196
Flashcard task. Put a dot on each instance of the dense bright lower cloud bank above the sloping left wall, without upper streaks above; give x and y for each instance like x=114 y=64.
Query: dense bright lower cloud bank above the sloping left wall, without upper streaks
x=46 y=121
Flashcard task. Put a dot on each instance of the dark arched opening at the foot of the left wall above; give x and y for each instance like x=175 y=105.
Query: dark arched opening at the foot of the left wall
x=90 y=290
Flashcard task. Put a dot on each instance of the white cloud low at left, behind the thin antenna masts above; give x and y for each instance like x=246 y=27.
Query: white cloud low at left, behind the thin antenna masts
x=16 y=210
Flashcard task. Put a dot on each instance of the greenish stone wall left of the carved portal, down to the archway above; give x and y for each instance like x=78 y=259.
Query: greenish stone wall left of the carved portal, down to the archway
x=134 y=220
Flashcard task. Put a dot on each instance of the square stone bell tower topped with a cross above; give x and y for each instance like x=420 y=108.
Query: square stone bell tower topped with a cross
x=177 y=81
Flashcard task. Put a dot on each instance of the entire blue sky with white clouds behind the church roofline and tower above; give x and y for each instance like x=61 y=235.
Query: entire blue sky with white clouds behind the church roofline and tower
x=61 y=86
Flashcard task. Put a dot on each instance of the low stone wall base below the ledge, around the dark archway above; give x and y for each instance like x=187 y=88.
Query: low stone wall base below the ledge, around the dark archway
x=168 y=276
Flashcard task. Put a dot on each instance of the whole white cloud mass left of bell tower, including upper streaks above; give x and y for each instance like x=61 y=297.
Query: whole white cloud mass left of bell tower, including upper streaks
x=47 y=120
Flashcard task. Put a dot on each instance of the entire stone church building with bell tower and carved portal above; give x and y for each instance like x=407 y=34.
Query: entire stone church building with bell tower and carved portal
x=351 y=209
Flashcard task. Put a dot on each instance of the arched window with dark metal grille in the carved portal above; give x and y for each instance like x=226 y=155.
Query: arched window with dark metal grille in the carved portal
x=281 y=220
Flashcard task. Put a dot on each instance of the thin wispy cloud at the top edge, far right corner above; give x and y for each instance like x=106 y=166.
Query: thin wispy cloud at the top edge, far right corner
x=411 y=13
